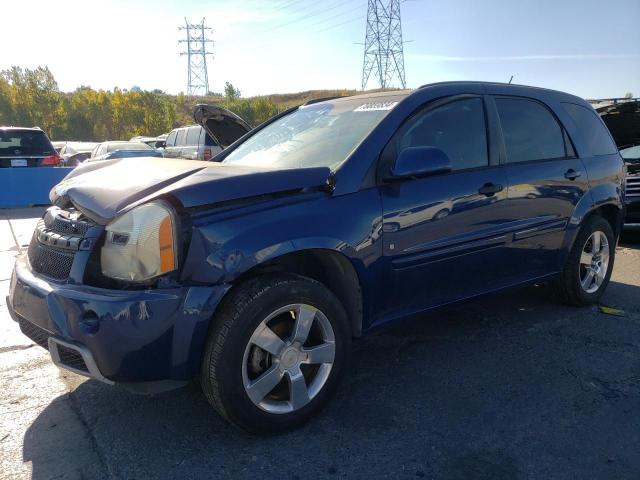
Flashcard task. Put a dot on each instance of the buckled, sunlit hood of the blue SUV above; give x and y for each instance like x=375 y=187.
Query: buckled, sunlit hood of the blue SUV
x=104 y=189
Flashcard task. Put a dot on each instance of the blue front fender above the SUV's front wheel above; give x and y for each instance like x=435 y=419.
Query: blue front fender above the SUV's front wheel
x=233 y=242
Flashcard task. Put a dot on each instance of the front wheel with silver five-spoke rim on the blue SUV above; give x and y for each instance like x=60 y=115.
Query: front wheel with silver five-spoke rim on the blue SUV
x=276 y=352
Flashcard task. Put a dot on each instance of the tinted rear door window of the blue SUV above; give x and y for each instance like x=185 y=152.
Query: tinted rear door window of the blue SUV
x=530 y=131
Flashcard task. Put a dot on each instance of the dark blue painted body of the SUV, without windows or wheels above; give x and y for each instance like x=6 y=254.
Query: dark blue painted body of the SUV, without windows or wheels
x=415 y=243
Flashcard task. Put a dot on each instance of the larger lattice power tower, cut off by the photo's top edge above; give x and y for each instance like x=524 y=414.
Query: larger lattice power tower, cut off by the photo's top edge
x=383 y=52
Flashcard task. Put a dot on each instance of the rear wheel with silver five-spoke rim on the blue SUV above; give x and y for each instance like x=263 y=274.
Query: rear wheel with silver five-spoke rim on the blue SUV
x=589 y=266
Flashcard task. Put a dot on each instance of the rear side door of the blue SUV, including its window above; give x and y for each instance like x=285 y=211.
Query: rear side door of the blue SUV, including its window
x=546 y=181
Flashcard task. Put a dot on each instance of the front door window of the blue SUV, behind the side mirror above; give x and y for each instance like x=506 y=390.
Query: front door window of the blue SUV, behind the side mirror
x=456 y=128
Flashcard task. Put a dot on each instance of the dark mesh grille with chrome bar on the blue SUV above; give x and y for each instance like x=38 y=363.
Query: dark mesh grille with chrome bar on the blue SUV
x=55 y=241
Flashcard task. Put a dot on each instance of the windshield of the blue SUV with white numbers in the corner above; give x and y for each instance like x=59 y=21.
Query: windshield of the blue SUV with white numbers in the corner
x=322 y=134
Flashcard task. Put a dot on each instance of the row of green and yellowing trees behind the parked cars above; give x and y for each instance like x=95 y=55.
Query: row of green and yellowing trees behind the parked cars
x=32 y=98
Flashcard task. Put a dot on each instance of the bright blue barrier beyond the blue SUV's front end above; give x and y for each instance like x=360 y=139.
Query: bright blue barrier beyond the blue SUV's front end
x=25 y=187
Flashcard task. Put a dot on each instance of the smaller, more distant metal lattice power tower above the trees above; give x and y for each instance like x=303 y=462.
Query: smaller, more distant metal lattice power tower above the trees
x=198 y=83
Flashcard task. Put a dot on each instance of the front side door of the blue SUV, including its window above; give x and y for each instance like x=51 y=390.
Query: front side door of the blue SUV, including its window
x=442 y=234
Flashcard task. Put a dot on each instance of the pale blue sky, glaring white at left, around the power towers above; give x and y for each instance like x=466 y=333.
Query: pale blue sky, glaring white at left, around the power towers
x=587 y=47
